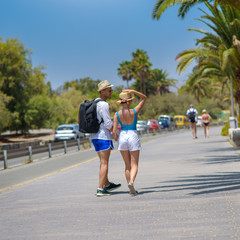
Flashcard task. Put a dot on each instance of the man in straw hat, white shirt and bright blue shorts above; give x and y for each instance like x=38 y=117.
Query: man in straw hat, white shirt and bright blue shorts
x=102 y=140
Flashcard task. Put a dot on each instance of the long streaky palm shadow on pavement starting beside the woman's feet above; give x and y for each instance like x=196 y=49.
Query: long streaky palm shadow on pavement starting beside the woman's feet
x=203 y=184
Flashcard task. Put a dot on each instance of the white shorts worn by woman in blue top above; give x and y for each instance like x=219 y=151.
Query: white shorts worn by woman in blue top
x=129 y=141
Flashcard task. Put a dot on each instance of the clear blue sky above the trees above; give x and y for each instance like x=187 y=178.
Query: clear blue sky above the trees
x=82 y=38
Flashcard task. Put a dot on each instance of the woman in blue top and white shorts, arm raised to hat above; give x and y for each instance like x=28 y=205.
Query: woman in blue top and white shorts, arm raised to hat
x=128 y=139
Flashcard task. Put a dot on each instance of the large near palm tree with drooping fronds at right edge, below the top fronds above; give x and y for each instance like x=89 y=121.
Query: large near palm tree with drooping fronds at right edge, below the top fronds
x=217 y=54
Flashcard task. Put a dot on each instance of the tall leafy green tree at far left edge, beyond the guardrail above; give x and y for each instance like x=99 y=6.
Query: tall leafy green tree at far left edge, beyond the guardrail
x=19 y=81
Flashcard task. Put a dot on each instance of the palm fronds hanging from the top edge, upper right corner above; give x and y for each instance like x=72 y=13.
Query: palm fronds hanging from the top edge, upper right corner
x=185 y=5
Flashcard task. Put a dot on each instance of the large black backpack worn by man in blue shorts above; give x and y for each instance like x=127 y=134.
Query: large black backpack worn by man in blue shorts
x=88 y=122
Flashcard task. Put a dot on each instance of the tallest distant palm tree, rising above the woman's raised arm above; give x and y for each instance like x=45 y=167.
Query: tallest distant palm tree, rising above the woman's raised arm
x=141 y=68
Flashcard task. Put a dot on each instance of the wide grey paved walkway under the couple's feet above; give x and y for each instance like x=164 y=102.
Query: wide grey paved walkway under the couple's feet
x=189 y=189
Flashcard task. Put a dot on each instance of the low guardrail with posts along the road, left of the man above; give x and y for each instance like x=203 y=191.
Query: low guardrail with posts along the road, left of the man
x=29 y=151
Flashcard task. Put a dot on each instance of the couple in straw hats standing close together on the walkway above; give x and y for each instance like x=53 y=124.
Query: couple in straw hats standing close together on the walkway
x=128 y=140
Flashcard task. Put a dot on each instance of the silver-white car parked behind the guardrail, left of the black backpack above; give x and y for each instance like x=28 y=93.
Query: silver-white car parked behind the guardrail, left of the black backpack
x=67 y=132
